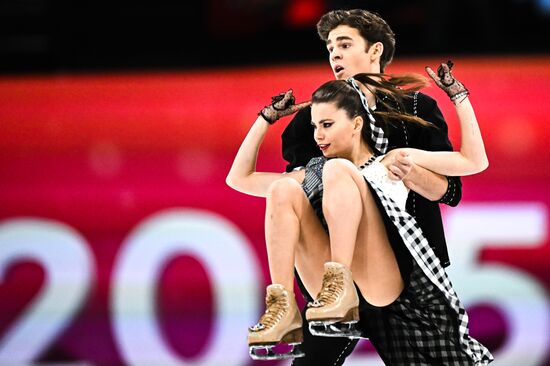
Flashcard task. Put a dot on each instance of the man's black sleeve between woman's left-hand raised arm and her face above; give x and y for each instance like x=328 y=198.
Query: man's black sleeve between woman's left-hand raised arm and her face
x=298 y=144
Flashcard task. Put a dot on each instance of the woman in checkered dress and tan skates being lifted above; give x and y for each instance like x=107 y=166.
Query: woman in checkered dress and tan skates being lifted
x=369 y=232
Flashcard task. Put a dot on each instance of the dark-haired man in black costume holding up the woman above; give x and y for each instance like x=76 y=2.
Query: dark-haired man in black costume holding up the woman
x=359 y=41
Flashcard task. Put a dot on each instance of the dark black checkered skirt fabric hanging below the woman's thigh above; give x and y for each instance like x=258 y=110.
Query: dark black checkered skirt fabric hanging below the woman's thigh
x=417 y=329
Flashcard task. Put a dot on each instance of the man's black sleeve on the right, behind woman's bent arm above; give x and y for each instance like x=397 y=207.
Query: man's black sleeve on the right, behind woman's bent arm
x=437 y=139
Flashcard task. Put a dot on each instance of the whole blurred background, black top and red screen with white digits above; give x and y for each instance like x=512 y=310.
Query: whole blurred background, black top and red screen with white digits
x=120 y=242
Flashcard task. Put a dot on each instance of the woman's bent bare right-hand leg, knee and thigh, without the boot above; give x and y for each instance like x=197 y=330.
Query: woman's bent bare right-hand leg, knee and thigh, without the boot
x=359 y=233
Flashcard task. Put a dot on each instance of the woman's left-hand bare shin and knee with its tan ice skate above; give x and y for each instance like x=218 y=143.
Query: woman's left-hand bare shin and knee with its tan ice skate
x=282 y=321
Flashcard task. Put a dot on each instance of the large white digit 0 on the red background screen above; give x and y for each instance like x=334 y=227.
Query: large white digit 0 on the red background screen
x=227 y=258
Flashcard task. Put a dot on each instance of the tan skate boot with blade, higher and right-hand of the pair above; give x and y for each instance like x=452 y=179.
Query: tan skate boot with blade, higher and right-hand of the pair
x=336 y=310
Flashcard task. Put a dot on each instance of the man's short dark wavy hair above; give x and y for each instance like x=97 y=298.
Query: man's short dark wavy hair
x=369 y=24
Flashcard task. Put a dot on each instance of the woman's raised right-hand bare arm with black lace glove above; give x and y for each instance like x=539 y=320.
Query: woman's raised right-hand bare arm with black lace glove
x=471 y=158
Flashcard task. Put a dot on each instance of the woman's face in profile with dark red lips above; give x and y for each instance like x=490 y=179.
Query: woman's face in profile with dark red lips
x=334 y=131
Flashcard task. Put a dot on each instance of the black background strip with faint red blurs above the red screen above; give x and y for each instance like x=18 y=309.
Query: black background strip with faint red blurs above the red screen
x=59 y=36
